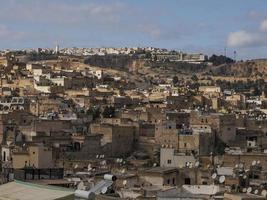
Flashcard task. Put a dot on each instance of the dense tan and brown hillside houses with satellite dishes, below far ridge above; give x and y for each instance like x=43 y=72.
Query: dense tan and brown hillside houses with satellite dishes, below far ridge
x=70 y=124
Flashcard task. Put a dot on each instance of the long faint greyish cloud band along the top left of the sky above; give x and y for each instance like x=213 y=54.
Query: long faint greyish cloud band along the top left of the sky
x=55 y=12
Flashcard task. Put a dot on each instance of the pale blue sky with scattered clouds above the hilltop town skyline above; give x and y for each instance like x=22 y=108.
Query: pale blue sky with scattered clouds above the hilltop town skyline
x=205 y=26
